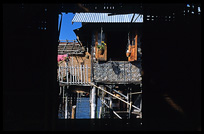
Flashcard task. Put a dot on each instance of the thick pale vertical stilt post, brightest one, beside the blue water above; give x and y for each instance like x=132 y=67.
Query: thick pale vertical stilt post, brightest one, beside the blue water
x=93 y=103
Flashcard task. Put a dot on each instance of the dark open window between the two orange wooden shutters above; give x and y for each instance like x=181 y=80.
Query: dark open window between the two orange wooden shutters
x=117 y=43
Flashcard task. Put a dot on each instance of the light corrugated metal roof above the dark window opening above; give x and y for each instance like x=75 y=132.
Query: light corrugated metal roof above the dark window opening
x=104 y=18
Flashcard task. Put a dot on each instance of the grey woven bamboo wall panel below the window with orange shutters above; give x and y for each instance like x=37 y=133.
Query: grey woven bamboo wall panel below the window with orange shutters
x=118 y=72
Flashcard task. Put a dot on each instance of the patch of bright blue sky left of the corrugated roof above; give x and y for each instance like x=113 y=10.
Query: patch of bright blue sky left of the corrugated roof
x=67 y=27
